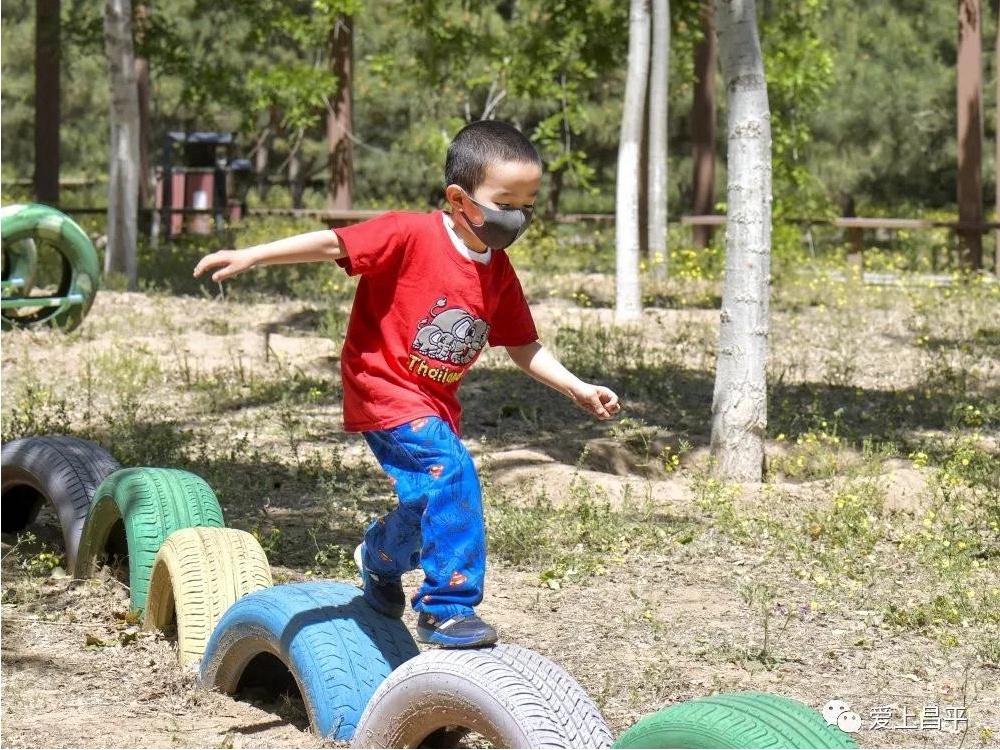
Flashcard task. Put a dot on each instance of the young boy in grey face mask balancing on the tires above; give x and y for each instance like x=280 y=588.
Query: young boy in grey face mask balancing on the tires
x=435 y=288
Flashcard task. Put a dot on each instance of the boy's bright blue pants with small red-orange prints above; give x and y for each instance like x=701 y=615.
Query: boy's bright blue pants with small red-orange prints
x=438 y=524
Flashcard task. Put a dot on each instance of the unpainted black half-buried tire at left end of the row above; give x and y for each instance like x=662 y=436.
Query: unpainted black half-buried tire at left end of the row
x=64 y=471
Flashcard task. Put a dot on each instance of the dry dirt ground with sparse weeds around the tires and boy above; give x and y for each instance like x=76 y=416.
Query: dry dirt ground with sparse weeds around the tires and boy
x=720 y=592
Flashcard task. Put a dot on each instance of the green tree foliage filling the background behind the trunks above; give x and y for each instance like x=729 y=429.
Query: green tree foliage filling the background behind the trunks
x=862 y=99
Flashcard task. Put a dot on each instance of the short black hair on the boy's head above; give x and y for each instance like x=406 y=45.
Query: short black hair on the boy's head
x=480 y=144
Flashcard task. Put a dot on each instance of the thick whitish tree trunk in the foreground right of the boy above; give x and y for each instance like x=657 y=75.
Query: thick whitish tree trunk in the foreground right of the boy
x=739 y=404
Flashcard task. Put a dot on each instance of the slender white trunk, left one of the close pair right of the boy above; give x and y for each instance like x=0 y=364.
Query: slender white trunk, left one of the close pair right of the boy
x=627 y=300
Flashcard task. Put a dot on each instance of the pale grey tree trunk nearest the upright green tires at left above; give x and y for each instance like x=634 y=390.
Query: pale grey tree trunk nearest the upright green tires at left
x=123 y=174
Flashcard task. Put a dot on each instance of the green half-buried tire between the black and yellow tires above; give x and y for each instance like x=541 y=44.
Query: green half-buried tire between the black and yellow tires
x=151 y=504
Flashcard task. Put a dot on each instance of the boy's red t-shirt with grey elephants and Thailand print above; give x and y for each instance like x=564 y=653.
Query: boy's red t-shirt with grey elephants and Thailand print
x=422 y=314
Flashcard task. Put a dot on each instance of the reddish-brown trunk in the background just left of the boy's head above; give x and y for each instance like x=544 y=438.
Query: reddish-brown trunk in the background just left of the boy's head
x=340 y=188
